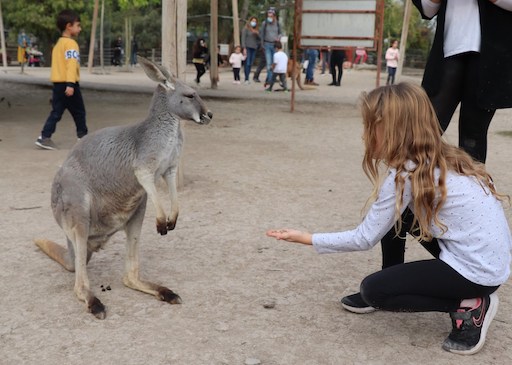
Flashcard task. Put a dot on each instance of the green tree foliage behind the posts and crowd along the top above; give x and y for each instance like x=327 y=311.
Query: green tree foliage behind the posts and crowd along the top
x=37 y=18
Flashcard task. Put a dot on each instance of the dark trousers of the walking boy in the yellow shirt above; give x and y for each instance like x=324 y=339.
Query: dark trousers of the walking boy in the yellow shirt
x=61 y=102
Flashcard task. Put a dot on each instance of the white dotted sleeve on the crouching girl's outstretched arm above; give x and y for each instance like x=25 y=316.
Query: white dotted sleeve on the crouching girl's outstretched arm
x=377 y=222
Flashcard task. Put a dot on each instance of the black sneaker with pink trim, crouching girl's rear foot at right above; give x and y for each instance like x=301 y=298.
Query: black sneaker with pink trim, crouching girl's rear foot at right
x=470 y=327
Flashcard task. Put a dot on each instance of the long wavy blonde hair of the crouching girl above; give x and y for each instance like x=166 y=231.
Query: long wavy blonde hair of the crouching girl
x=409 y=131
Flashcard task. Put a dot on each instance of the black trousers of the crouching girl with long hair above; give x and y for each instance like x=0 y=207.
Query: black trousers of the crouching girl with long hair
x=419 y=286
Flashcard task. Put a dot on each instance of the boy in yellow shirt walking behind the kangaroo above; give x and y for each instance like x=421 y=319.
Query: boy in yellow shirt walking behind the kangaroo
x=65 y=74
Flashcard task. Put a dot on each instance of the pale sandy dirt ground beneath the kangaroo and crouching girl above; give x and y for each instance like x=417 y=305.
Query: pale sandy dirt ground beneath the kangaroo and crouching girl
x=246 y=297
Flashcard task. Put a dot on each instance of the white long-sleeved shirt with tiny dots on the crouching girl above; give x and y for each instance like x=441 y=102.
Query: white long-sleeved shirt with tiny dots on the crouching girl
x=477 y=243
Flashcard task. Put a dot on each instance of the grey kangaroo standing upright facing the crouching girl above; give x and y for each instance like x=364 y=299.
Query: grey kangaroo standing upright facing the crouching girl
x=103 y=186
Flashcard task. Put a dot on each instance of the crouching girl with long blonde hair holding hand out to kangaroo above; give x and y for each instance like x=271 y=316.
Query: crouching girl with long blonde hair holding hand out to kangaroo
x=441 y=196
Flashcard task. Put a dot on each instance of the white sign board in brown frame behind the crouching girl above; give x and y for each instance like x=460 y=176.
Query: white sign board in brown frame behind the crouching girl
x=335 y=23
